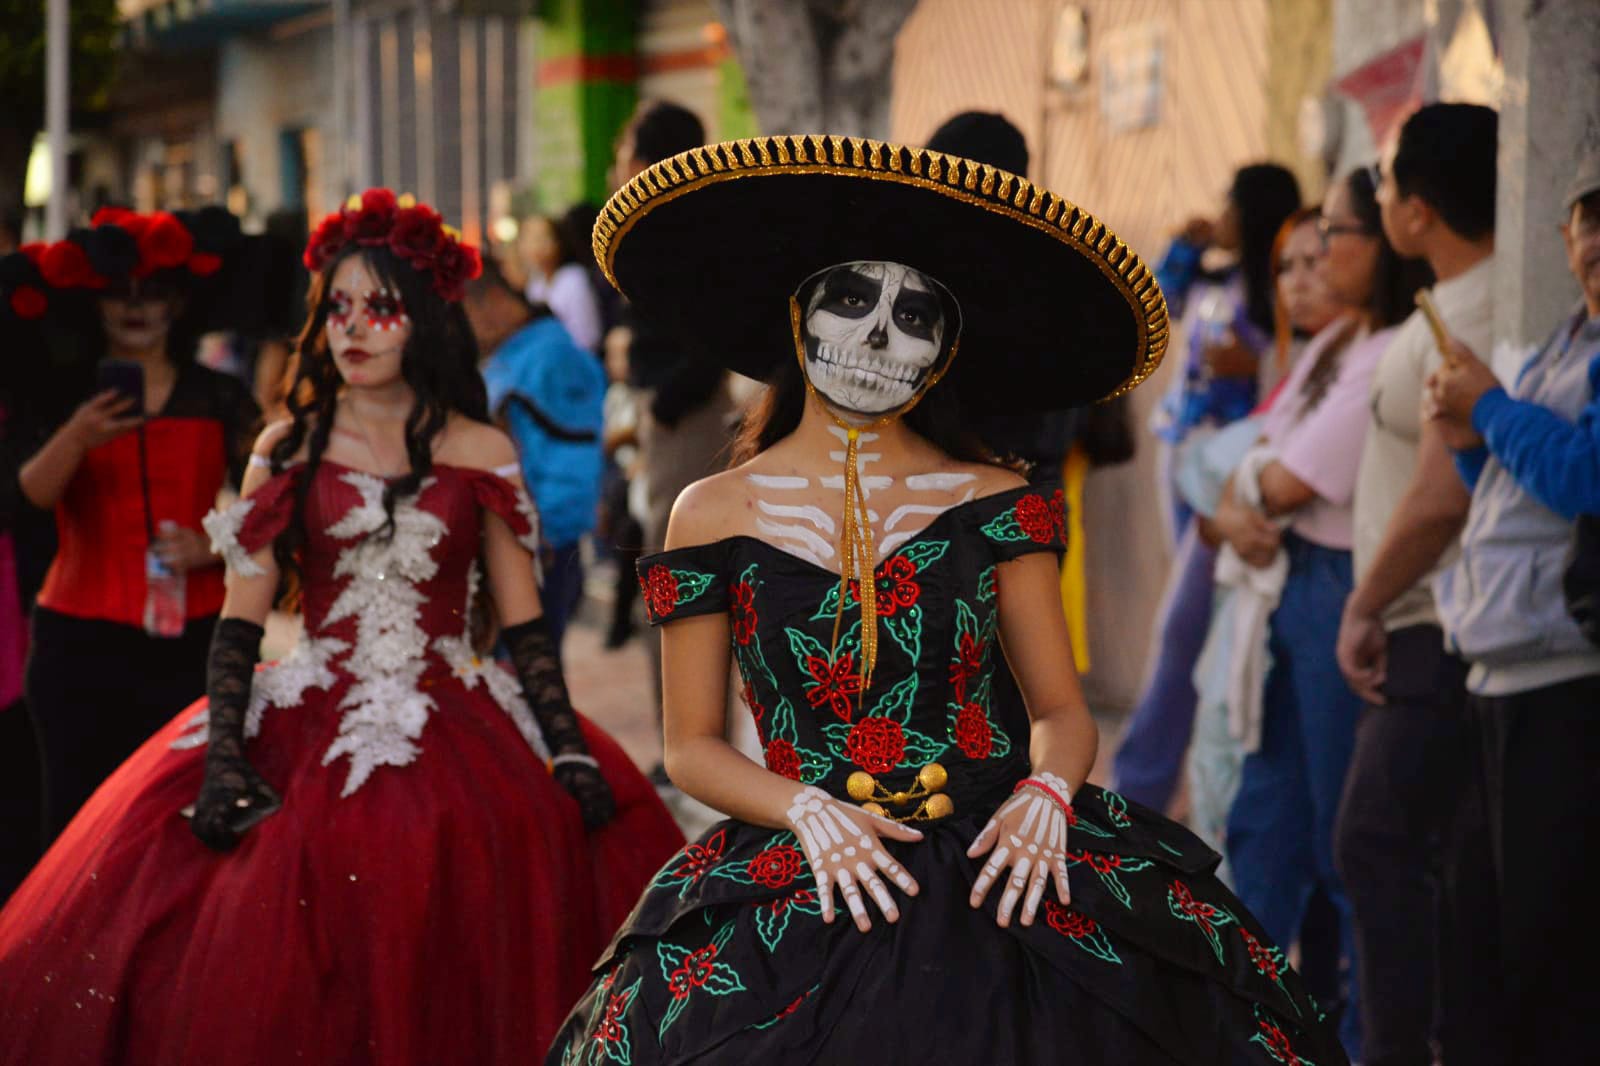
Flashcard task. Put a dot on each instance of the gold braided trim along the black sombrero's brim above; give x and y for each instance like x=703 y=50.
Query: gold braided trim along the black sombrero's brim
x=962 y=180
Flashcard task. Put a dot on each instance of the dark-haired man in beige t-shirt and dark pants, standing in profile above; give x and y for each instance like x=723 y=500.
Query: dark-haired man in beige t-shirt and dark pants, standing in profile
x=1436 y=193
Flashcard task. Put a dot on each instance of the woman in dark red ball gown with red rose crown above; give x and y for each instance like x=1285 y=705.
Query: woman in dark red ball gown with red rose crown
x=406 y=856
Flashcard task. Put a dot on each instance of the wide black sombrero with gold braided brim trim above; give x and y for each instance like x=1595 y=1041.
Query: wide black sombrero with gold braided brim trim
x=713 y=242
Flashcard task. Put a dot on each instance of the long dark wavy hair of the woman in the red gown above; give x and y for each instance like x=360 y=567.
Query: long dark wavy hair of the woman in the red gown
x=441 y=364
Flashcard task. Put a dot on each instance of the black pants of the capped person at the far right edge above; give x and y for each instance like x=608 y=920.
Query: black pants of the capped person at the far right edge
x=1538 y=756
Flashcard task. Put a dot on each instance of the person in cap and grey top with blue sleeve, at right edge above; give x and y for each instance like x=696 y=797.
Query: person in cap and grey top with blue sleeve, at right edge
x=1532 y=457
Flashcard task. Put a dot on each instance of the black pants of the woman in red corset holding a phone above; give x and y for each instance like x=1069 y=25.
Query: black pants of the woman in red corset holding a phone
x=97 y=692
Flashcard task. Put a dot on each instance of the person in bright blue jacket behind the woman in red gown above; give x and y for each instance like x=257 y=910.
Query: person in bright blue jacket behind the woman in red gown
x=550 y=393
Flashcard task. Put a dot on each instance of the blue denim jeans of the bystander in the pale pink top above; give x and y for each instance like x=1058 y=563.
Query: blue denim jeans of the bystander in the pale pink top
x=1281 y=828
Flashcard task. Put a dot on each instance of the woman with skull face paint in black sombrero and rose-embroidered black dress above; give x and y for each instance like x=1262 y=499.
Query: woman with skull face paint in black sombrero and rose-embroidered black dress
x=913 y=873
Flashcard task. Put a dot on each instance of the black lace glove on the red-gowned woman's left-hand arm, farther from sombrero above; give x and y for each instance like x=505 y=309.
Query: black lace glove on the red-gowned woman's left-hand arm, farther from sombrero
x=233 y=796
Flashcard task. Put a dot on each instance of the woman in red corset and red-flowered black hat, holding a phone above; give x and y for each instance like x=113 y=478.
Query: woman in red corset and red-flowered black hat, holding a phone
x=145 y=443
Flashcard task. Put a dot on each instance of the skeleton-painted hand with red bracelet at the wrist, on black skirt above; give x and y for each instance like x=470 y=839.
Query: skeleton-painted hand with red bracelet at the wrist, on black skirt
x=1030 y=833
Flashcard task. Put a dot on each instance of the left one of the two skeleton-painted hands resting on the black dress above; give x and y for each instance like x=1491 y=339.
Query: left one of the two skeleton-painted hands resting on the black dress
x=844 y=849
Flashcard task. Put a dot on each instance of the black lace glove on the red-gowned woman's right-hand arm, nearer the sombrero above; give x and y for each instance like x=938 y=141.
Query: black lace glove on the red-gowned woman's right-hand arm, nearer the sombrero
x=540 y=671
